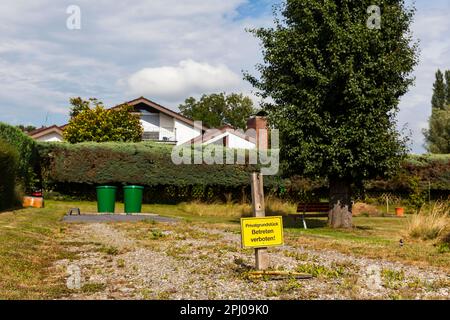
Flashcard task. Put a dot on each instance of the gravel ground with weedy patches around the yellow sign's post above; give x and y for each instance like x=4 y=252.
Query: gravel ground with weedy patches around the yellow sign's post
x=188 y=261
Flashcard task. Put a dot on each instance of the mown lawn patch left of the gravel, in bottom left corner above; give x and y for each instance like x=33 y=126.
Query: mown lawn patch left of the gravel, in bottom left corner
x=28 y=246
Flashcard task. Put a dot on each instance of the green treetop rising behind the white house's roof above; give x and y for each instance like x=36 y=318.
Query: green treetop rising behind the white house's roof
x=218 y=109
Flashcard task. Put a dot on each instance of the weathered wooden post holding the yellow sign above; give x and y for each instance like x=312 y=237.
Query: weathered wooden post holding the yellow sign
x=261 y=256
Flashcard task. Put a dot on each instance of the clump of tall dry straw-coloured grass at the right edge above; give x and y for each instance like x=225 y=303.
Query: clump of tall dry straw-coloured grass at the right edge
x=430 y=224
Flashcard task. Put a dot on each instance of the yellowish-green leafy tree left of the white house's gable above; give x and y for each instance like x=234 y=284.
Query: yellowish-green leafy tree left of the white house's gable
x=98 y=124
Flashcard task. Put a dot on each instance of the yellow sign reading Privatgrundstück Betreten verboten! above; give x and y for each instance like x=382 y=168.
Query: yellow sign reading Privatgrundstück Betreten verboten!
x=262 y=232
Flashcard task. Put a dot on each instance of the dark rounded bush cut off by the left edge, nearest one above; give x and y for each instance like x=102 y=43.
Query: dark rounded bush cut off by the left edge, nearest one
x=8 y=168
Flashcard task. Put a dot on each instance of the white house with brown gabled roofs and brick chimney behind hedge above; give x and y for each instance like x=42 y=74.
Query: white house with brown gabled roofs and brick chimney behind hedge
x=167 y=126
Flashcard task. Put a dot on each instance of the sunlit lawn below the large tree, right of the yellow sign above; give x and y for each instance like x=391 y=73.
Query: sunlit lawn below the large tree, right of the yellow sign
x=374 y=237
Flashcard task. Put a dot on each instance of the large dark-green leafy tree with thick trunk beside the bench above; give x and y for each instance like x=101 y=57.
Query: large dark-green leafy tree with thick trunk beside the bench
x=335 y=82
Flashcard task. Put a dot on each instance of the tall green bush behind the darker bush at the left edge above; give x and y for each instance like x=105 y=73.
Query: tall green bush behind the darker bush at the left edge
x=27 y=149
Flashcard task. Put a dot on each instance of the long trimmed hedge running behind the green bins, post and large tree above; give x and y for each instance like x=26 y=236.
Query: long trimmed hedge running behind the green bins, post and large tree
x=77 y=169
